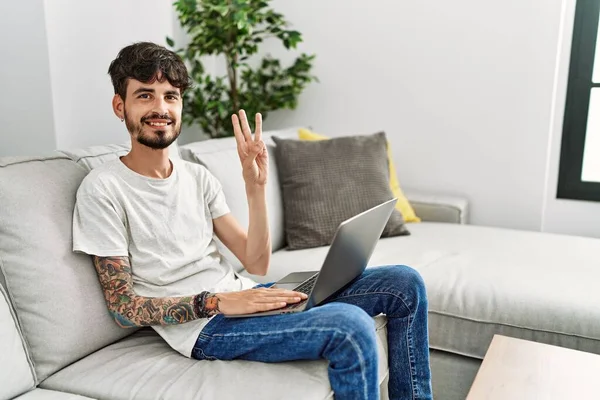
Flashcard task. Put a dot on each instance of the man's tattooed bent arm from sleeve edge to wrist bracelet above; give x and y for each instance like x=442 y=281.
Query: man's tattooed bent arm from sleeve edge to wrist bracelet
x=129 y=309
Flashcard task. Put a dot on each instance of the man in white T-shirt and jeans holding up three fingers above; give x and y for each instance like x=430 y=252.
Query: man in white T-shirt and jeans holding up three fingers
x=148 y=222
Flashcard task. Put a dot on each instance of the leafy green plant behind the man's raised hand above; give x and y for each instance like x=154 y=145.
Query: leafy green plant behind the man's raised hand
x=234 y=29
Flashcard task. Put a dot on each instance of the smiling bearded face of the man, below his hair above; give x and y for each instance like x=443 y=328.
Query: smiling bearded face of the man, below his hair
x=152 y=112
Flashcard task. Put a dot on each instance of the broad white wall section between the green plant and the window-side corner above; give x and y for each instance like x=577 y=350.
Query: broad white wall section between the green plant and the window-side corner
x=462 y=88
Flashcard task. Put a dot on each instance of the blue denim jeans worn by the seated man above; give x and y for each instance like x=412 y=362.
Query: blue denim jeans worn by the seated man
x=343 y=332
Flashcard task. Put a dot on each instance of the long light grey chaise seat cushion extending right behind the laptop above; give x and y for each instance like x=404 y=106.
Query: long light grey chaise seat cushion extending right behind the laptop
x=481 y=281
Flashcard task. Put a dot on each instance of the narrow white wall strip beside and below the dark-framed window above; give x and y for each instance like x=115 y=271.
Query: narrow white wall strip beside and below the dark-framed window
x=559 y=215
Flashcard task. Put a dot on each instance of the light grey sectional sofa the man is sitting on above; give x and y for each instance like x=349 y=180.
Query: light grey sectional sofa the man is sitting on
x=58 y=341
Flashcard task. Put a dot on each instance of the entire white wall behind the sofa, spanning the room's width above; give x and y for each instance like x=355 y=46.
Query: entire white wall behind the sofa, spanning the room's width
x=470 y=93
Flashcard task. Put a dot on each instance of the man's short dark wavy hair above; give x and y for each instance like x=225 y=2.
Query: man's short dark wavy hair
x=145 y=61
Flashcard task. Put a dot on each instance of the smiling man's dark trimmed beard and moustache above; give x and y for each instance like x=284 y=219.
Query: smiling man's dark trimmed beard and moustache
x=157 y=139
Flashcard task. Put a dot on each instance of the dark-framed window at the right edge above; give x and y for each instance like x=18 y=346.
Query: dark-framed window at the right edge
x=579 y=173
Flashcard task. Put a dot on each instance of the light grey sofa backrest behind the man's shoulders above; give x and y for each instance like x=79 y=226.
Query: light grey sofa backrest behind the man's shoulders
x=57 y=300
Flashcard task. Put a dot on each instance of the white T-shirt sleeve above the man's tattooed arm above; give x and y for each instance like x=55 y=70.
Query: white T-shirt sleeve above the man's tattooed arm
x=97 y=227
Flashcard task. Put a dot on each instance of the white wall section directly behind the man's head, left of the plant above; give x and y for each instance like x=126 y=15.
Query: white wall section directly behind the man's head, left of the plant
x=83 y=38
